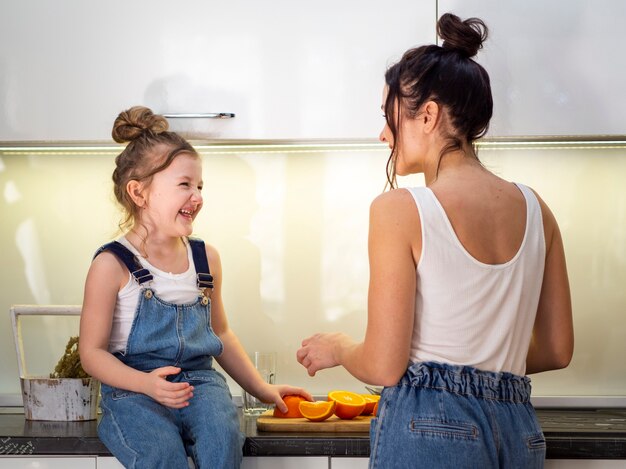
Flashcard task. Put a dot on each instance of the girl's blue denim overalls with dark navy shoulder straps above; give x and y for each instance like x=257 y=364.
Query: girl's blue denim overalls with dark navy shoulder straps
x=139 y=431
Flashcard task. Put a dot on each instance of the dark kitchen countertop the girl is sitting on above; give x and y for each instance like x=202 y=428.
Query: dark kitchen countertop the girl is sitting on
x=570 y=434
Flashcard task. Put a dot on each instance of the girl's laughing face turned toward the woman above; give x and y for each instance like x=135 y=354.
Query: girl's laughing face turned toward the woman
x=174 y=197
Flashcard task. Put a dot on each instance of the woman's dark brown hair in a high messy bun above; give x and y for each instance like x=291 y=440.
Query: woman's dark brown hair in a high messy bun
x=447 y=75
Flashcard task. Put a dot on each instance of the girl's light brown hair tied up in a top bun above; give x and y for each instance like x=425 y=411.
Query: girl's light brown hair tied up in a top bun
x=151 y=148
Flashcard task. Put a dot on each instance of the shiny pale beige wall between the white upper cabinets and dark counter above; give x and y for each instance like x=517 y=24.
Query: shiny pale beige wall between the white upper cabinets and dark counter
x=291 y=227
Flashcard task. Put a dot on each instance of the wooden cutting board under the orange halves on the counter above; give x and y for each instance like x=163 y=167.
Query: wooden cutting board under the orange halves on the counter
x=267 y=423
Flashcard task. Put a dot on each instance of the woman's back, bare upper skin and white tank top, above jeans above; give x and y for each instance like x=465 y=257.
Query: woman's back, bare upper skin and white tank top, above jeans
x=479 y=273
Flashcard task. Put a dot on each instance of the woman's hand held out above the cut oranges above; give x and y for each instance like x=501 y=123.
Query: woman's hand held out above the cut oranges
x=322 y=351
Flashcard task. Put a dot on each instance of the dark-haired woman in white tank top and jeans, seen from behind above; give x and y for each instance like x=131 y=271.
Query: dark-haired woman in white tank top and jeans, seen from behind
x=468 y=284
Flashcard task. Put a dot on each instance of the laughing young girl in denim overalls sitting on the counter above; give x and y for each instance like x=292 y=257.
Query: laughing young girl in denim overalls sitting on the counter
x=153 y=317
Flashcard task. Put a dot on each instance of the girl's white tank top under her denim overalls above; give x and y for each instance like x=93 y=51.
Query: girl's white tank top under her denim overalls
x=172 y=288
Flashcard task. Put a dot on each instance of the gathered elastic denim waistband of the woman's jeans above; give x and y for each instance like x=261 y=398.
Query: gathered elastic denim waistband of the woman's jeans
x=468 y=381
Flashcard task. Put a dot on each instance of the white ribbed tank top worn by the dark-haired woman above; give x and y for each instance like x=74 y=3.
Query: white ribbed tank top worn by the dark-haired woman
x=468 y=312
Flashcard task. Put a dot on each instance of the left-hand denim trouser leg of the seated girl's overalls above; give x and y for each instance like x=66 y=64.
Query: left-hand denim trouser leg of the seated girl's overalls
x=141 y=433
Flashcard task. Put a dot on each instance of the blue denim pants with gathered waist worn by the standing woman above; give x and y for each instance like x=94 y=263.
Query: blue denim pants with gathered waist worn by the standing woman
x=445 y=416
